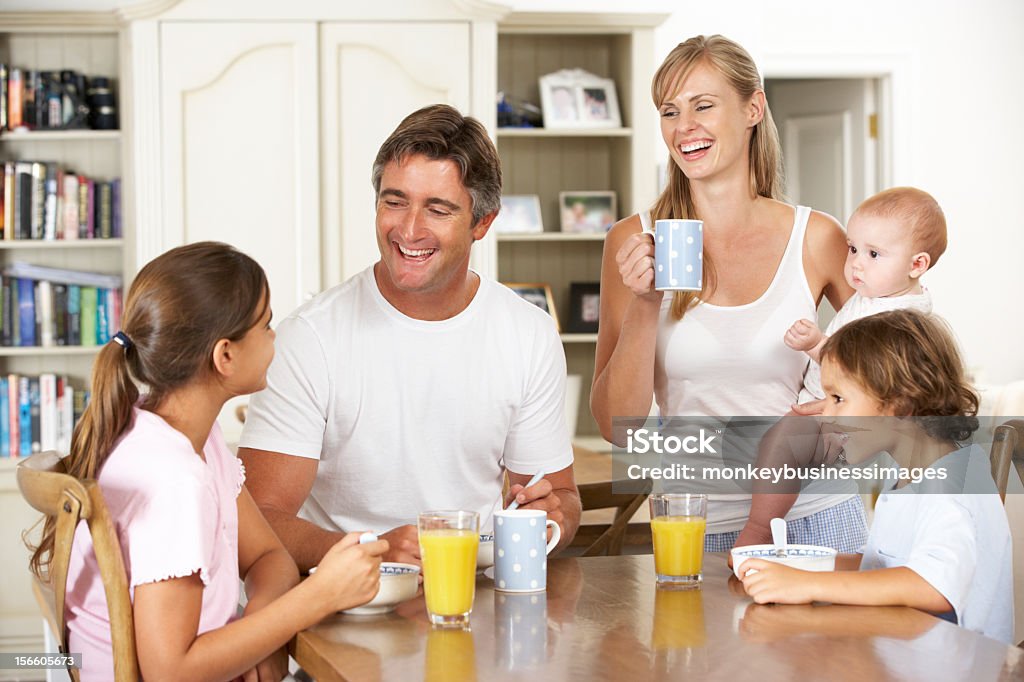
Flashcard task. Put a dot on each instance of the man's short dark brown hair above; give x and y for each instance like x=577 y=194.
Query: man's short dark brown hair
x=441 y=133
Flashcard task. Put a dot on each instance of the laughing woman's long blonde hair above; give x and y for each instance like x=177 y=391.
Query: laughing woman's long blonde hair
x=765 y=157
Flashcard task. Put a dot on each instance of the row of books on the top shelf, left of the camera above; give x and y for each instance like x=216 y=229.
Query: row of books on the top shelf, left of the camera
x=42 y=100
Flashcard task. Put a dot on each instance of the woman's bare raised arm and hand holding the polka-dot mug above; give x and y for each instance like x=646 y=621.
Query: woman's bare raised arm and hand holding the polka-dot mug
x=624 y=369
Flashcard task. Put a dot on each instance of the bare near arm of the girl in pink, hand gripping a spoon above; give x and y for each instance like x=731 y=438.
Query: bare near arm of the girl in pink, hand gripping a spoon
x=167 y=617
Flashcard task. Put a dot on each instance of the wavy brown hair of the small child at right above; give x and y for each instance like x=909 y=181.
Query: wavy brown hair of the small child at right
x=910 y=363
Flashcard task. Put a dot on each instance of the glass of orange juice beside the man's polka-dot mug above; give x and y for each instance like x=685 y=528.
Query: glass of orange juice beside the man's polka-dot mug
x=449 y=542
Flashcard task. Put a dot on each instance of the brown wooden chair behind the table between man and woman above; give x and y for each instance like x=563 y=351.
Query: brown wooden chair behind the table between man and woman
x=609 y=539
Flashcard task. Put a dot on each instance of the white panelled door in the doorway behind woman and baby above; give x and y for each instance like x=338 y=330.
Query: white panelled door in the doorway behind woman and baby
x=829 y=151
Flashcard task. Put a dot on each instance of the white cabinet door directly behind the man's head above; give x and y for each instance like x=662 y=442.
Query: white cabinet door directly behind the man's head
x=374 y=75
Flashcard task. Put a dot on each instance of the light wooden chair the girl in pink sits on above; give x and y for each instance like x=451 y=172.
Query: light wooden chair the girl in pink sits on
x=49 y=489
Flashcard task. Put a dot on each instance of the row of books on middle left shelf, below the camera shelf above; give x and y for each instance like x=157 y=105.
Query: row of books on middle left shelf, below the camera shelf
x=41 y=201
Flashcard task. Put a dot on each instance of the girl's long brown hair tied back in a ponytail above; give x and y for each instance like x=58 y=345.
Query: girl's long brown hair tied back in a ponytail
x=172 y=336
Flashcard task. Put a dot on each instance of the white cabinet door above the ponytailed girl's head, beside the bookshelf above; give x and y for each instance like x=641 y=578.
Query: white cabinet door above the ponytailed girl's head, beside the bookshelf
x=239 y=105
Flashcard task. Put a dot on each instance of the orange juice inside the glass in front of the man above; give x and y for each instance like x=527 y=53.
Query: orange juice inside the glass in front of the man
x=449 y=570
